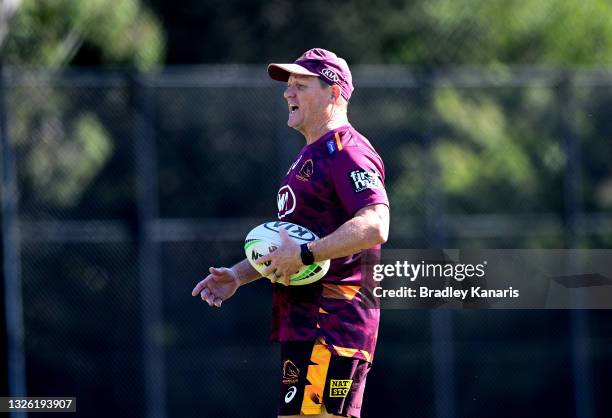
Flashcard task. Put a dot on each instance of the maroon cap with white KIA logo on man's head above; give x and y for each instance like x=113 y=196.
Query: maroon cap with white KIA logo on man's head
x=320 y=63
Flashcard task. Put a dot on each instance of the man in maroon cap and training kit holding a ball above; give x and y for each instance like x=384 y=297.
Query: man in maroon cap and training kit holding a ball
x=335 y=187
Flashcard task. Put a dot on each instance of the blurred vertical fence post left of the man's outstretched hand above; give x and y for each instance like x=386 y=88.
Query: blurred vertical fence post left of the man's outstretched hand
x=149 y=252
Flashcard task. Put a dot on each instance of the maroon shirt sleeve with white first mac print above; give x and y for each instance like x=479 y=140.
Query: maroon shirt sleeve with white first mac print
x=359 y=179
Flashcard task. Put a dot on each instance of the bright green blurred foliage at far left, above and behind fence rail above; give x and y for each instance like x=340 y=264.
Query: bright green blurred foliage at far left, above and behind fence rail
x=64 y=149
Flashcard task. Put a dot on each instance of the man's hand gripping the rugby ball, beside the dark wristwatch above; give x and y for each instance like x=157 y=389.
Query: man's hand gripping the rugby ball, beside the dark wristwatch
x=285 y=260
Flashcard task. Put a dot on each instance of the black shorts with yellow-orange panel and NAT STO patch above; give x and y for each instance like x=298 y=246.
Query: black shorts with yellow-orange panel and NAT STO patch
x=311 y=377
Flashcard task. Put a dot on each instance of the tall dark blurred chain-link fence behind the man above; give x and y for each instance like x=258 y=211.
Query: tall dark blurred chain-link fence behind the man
x=130 y=186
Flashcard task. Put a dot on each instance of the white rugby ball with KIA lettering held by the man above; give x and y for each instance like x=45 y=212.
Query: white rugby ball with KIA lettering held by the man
x=265 y=238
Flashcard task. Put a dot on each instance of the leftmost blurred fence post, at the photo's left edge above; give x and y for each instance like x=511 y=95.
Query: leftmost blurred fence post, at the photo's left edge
x=11 y=259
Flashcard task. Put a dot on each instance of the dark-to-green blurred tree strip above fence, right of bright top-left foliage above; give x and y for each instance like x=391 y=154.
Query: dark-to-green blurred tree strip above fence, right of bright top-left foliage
x=489 y=33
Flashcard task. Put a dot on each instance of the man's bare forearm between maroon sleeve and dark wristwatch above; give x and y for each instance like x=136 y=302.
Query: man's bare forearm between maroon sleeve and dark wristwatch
x=366 y=230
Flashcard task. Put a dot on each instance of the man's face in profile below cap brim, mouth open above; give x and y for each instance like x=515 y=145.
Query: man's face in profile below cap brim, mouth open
x=308 y=102
